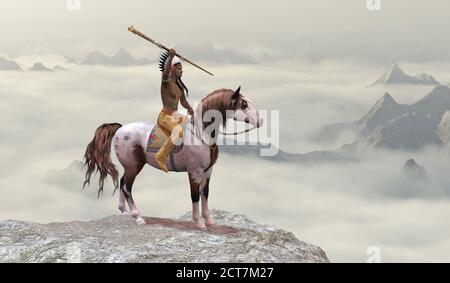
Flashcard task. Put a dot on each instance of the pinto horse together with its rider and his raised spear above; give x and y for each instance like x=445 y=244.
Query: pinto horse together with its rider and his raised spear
x=197 y=157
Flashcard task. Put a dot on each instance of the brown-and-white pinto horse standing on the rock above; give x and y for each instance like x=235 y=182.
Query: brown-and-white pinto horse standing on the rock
x=196 y=155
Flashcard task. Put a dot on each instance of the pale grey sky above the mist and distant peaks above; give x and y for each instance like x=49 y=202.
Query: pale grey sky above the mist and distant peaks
x=328 y=27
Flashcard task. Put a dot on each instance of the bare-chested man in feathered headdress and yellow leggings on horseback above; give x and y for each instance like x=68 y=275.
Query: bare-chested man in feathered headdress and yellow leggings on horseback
x=172 y=92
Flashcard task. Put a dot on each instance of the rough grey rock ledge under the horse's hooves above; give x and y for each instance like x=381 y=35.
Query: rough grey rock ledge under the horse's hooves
x=235 y=238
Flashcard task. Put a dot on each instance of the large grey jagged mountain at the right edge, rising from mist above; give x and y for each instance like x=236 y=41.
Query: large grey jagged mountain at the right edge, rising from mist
x=396 y=126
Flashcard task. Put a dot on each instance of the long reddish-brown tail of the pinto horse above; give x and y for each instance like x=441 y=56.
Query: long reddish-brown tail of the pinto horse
x=97 y=156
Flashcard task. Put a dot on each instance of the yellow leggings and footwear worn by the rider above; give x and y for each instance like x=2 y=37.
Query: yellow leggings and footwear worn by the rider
x=172 y=125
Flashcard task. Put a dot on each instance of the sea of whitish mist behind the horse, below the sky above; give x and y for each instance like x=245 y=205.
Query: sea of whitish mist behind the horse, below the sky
x=48 y=119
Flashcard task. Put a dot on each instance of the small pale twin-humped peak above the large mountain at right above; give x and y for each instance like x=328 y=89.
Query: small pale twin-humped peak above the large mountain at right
x=395 y=75
